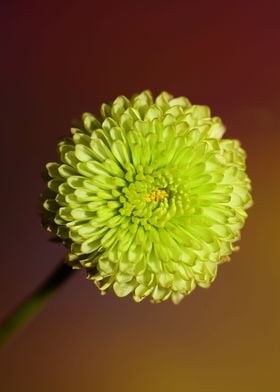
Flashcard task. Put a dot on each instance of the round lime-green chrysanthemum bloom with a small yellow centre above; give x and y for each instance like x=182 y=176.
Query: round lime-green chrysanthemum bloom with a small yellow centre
x=148 y=198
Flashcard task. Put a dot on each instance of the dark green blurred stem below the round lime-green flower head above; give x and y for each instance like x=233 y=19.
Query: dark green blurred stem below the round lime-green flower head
x=33 y=304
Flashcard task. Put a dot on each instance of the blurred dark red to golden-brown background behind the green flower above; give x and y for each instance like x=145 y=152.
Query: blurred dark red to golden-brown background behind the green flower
x=61 y=58
